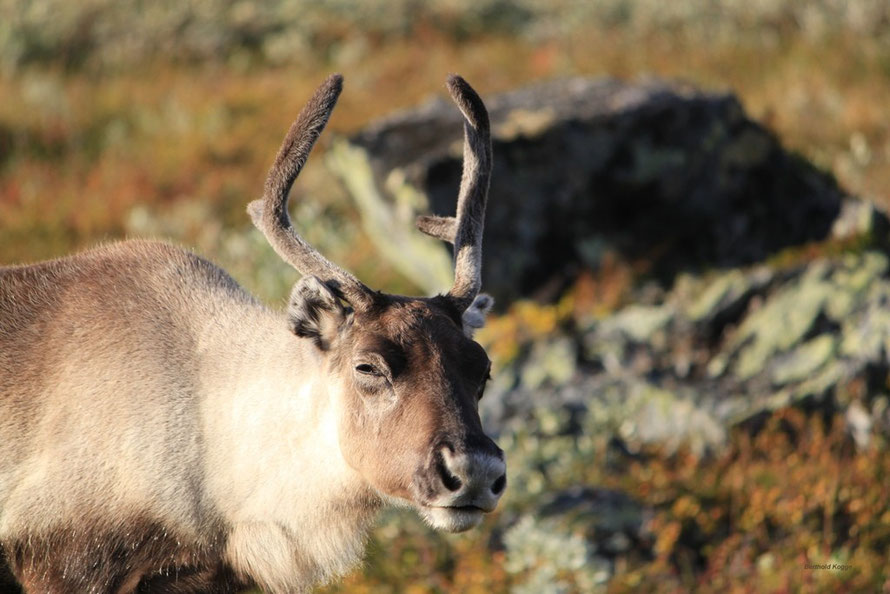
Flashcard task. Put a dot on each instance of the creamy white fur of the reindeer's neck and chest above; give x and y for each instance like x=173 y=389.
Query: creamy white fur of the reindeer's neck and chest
x=299 y=511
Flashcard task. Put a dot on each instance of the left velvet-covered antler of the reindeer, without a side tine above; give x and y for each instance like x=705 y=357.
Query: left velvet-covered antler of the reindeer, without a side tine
x=270 y=213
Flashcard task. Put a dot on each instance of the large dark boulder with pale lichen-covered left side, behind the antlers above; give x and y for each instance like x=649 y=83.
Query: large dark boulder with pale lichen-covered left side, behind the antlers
x=648 y=170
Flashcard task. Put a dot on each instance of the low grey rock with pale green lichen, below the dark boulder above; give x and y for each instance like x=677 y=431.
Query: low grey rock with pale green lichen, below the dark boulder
x=717 y=350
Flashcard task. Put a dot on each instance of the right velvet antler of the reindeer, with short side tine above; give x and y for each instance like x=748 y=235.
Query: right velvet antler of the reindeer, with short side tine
x=465 y=229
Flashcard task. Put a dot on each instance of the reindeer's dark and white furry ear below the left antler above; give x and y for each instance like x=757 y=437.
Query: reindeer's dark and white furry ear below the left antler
x=315 y=311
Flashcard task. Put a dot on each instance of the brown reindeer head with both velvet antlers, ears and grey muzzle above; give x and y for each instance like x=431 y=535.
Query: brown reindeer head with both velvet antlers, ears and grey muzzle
x=406 y=376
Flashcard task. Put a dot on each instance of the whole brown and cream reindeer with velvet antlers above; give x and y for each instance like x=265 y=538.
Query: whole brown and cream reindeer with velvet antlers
x=163 y=431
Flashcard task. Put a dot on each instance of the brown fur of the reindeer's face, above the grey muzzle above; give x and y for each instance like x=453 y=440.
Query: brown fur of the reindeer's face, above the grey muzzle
x=428 y=399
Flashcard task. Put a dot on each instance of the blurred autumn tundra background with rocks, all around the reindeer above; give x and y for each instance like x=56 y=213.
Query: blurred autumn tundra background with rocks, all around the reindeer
x=680 y=411
